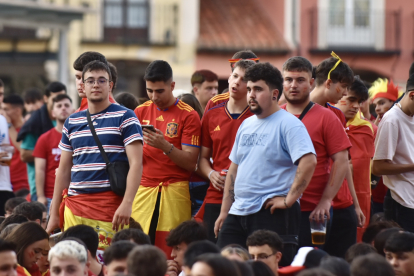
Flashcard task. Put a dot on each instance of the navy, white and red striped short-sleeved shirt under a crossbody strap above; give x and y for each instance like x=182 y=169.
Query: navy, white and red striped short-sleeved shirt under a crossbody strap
x=116 y=127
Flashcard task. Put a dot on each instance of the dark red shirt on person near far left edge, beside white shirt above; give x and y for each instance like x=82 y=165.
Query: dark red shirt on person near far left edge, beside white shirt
x=18 y=171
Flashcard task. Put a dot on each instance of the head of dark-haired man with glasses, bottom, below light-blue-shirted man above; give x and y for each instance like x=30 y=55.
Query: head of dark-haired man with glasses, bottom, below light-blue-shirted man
x=266 y=246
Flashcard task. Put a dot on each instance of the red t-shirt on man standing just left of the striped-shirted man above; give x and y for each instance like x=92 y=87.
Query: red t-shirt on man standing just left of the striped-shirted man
x=47 y=148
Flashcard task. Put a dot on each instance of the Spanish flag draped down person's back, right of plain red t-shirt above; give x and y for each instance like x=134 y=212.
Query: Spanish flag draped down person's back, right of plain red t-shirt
x=361 y=135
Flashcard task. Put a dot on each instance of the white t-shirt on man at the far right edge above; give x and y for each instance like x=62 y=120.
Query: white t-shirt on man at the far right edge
x=395 y=142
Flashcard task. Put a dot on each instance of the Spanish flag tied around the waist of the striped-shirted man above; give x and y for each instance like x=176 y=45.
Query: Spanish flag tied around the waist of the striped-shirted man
x=96 y=210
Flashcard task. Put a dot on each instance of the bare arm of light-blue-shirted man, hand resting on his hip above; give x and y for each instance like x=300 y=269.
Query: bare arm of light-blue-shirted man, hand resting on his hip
x=304 y=174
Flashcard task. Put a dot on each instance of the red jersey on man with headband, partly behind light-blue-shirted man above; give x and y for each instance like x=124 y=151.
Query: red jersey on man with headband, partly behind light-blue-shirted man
x=219 y=131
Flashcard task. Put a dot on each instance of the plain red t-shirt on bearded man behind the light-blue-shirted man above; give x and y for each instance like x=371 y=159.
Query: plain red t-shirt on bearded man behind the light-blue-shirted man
x=328 y=137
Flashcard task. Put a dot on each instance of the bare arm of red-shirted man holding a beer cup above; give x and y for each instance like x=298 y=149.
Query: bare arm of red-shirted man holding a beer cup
x=336 y=178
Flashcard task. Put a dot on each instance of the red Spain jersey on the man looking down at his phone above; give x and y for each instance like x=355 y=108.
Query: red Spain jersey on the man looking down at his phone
x=181 y=126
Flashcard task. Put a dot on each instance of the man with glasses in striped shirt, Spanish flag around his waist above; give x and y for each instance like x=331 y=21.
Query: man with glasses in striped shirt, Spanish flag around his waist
x=82 y=170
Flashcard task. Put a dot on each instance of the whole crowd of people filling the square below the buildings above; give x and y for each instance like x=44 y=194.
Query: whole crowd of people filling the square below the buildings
x=209 y=183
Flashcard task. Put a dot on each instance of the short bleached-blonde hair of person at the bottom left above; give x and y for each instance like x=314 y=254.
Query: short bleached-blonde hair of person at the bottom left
x=69 y=249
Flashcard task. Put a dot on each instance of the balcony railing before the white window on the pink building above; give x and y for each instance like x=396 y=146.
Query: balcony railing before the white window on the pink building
x=355 y=31
